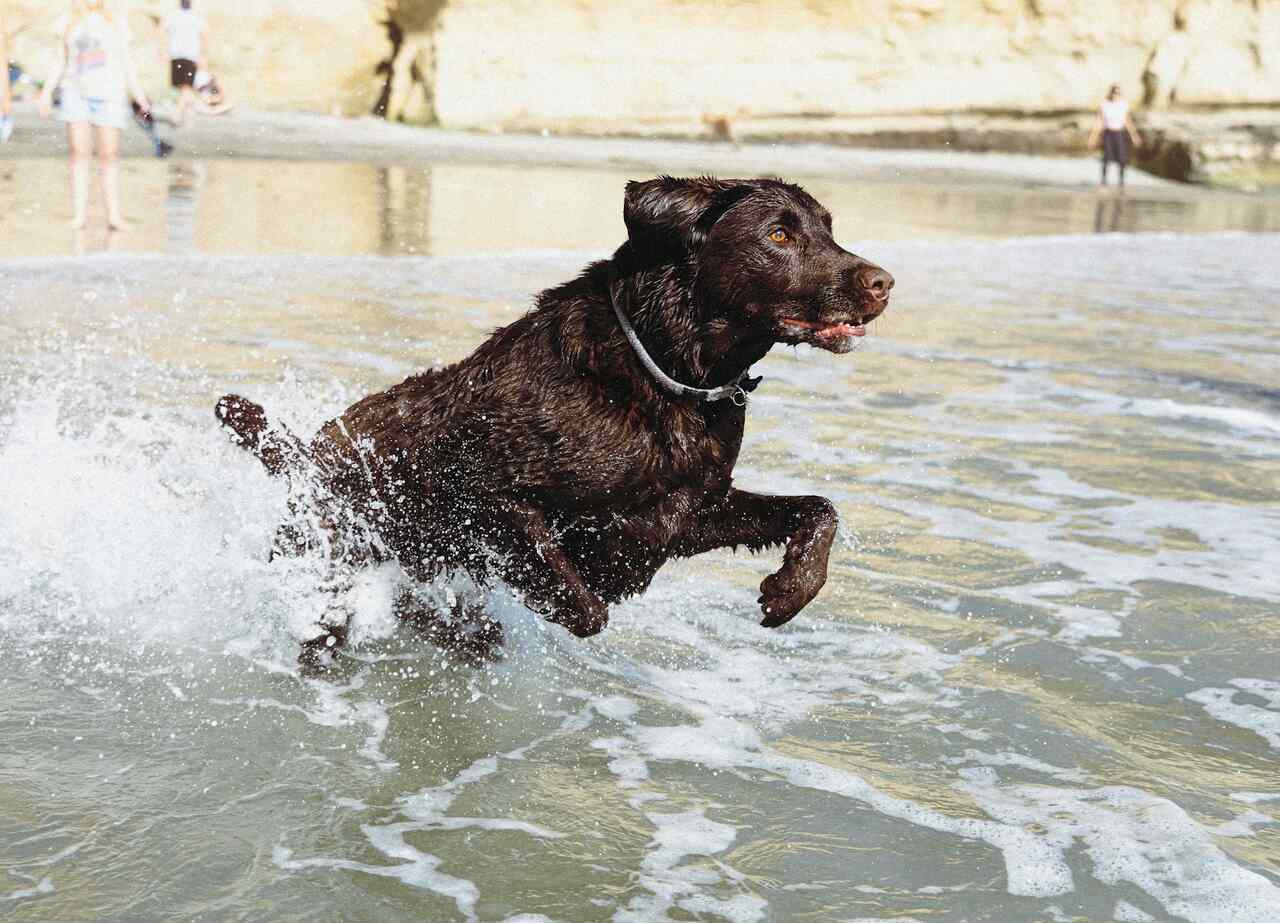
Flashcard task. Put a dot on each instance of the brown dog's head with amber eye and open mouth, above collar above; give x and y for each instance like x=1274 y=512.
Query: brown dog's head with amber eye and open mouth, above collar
x=762 y=255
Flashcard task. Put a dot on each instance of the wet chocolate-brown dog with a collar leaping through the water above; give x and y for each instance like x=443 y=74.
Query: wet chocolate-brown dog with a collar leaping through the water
x=593 y=440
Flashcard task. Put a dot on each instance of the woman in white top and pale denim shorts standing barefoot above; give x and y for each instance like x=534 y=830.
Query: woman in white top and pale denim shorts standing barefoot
x=97 y=77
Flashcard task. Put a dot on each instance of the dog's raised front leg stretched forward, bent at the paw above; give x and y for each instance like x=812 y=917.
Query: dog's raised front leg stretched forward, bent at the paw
x=806 y=524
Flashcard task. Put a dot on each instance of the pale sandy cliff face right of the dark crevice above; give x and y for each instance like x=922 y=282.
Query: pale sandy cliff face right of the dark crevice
x=625 y=62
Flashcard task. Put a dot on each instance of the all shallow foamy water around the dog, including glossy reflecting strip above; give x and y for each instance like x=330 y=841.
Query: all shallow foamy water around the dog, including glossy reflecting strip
x=1043 y=683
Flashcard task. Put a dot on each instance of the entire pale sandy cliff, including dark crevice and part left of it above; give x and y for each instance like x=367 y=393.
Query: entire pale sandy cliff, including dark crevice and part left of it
x=614 y=65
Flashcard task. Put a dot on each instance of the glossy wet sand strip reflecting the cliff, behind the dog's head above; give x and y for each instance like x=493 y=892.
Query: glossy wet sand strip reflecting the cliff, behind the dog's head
x=232 y=207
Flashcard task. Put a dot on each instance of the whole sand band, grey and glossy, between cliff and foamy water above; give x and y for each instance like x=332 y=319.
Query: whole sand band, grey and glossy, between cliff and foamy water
x=367 y=188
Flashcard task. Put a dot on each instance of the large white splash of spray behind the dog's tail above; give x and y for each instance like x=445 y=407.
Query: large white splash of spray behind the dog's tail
x=99 y=524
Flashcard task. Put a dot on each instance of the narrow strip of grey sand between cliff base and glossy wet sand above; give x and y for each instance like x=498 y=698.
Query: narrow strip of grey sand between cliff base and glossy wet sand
x=253 y=135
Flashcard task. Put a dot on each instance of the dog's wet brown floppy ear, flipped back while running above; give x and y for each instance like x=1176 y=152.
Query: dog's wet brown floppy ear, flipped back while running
x=676 y=214
